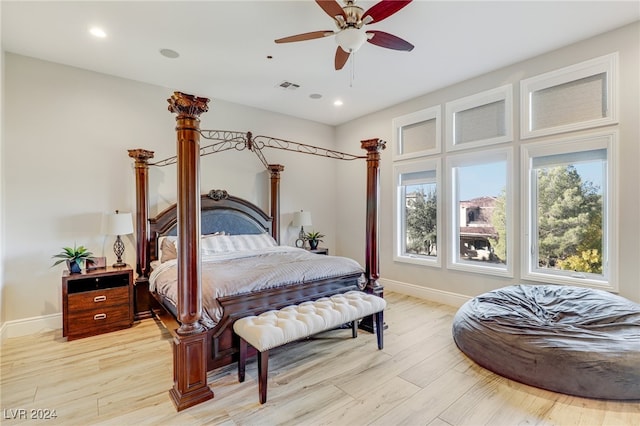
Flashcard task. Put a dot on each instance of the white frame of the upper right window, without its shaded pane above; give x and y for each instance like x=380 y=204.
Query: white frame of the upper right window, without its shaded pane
x=607 y=64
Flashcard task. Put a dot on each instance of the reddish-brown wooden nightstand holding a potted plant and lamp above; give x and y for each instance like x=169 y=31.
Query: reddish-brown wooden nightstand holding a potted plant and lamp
x=97 y=301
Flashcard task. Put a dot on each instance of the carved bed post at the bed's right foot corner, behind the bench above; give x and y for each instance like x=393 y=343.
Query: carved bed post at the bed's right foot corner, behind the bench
x=372 y=260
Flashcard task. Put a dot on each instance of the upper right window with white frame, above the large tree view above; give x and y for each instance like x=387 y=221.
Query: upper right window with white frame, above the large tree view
x=572 y=98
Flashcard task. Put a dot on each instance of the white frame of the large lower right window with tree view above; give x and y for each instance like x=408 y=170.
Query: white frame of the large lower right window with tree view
x=574 y=144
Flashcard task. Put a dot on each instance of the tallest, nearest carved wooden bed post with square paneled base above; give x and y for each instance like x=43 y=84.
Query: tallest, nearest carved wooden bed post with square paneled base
x=190 y=343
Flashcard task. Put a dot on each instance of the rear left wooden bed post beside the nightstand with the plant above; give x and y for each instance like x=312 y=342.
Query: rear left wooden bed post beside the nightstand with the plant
x=141 y=295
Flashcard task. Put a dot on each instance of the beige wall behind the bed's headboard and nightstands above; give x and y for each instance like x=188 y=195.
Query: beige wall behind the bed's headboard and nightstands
x=66 y=137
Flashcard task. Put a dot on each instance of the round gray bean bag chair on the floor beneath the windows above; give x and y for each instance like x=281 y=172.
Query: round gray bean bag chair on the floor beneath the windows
x=565 y=339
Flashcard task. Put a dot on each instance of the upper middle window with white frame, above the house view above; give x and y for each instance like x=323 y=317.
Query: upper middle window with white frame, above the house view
x=482 y=119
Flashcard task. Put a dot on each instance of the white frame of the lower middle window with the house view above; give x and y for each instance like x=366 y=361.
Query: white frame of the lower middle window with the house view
x=453 y=240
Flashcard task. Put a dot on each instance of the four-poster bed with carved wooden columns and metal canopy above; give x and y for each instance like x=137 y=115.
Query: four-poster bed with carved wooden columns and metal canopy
x=222 y=234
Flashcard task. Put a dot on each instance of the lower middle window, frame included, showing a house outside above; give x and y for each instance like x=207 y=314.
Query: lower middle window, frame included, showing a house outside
x=480 y=210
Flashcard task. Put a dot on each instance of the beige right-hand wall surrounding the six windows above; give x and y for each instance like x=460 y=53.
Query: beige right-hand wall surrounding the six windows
x=440 y=281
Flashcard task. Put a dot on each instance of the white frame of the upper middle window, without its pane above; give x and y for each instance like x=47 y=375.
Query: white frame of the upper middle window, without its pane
x=503 y=93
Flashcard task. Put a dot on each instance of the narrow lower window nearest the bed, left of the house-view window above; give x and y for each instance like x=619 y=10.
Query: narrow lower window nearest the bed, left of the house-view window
x=417 y=218
